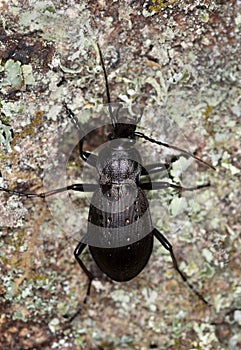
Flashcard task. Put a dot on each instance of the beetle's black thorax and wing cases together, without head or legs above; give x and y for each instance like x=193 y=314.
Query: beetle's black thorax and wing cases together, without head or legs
x=119 y=222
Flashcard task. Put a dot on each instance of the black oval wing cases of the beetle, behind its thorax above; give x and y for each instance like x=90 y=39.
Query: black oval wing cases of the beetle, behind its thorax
x=120 y=230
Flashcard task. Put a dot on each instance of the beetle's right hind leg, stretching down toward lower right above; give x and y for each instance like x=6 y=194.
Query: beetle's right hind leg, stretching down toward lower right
x=167 y=245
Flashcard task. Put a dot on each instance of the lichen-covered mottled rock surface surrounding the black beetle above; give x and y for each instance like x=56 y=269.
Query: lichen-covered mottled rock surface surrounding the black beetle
x=183 y=61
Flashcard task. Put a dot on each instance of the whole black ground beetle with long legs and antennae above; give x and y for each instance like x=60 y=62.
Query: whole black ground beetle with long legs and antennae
x=120 y=234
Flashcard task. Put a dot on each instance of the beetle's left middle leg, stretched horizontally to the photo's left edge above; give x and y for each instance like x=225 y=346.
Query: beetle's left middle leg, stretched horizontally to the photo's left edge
x=74 y=187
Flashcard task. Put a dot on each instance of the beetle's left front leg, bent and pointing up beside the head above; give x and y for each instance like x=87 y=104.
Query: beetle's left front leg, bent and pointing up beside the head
x=90 y=158
